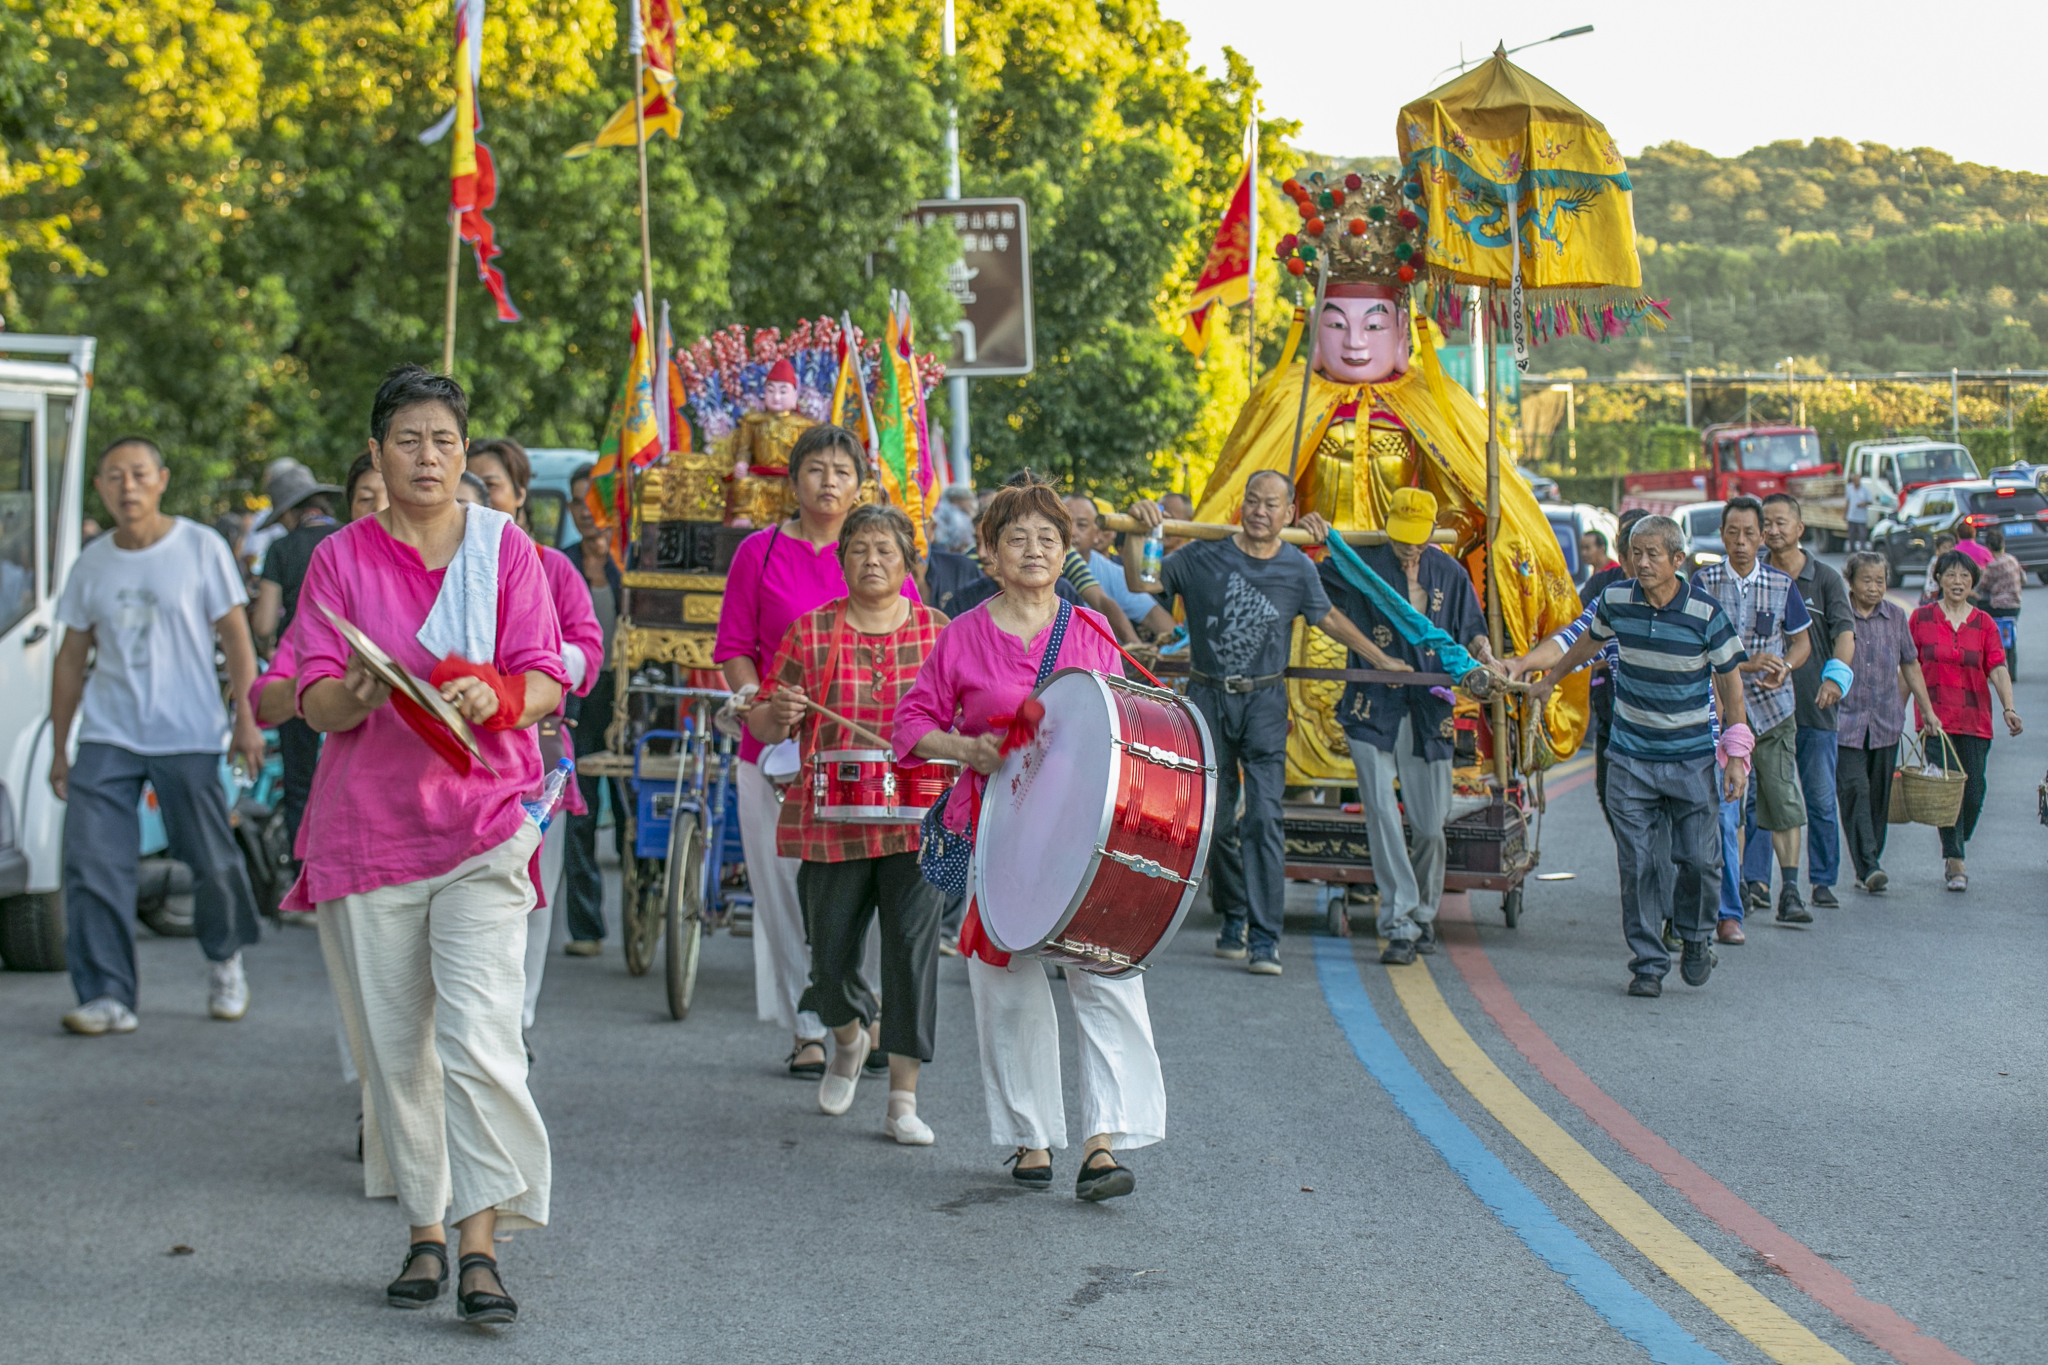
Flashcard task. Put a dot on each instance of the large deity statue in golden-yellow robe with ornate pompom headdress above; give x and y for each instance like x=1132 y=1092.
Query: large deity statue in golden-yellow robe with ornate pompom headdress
x=1381 y=414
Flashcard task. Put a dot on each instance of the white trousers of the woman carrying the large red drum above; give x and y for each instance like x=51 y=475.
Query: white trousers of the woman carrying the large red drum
x=1123 y=1092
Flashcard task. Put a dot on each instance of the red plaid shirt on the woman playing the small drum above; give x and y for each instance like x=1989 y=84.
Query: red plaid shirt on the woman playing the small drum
x=873 y=674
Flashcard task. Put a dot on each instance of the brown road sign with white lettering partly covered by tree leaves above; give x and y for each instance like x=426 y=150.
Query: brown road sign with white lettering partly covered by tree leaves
x=992 y=281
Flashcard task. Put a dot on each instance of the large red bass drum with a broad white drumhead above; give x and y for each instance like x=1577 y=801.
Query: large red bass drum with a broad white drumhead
x=1095 y=836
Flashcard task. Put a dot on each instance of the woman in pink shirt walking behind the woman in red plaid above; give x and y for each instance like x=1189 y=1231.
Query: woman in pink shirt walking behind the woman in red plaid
x=779 y=576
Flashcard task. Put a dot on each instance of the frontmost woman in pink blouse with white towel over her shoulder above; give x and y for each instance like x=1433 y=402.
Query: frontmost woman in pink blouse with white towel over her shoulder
x=417 y=854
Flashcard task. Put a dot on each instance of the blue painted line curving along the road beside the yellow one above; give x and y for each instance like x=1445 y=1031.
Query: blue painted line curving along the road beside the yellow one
x=1588 y=1274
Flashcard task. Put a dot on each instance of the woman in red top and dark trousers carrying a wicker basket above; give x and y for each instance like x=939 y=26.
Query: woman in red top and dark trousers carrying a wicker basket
x=1961 y=652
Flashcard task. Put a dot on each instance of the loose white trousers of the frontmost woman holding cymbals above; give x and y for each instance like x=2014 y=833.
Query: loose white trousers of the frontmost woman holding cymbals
x=431 y=979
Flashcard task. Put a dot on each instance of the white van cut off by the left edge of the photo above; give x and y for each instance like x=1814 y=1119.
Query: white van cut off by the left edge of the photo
x=46 y=384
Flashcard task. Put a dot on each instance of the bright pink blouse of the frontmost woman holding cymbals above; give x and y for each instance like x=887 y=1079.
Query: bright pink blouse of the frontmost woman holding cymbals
x=386 y=809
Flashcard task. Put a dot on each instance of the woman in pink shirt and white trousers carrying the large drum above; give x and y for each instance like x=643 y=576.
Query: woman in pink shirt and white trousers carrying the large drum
x=982 y=668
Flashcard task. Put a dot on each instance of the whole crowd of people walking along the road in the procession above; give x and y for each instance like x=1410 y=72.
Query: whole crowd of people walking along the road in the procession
x=1748 y=725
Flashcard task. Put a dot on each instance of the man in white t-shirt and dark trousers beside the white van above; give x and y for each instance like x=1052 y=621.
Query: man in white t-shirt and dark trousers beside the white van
x=144 y=607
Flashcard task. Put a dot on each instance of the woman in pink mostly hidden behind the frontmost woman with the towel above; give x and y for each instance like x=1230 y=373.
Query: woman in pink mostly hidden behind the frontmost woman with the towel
x=507 y=476
